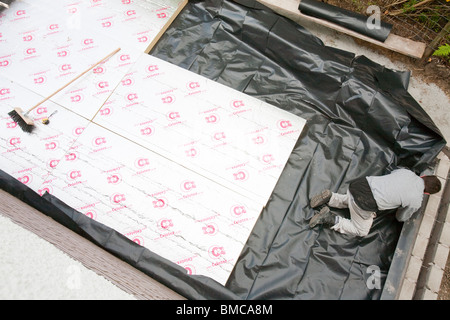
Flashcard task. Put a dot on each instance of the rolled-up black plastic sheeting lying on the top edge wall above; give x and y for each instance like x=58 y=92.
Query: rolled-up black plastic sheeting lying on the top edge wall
x=345 y=18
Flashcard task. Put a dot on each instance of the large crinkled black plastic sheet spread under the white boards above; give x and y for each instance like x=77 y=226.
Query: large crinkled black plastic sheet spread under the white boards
x=361 y=121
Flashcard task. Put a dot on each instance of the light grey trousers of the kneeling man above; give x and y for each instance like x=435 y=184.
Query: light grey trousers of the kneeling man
x=360 y=220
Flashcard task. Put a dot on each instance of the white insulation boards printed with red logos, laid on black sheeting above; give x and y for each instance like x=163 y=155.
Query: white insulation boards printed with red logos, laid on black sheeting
x=177 y=163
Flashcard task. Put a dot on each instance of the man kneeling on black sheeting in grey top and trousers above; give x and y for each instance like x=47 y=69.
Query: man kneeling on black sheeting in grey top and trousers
x=401 y=189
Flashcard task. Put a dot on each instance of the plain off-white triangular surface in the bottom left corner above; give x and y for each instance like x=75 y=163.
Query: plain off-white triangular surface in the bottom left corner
x=32 y=268
